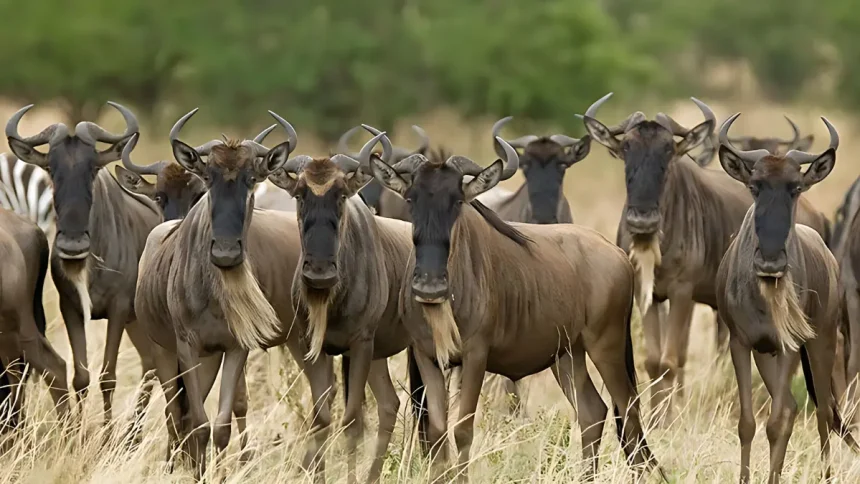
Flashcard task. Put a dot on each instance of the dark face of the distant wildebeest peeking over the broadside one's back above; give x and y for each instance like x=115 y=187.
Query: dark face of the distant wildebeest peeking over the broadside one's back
x=544 y=164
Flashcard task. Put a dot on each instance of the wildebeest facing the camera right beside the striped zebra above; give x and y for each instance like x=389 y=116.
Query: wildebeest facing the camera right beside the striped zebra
x=101 y=232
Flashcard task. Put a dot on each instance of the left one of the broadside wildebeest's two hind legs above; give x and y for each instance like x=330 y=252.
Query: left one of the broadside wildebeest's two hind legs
x=570 y=370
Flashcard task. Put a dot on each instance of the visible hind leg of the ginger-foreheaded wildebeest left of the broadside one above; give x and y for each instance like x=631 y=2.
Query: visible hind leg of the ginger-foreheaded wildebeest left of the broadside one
x=387 y=405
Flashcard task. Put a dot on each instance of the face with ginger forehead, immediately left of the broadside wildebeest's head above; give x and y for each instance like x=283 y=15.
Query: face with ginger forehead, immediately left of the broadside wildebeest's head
x=321 y=189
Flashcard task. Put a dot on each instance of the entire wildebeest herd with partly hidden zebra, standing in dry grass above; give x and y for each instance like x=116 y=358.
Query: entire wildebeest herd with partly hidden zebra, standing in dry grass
x=389 y=249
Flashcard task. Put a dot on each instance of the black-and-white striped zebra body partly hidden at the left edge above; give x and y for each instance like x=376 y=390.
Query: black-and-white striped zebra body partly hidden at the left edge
x=26 y=189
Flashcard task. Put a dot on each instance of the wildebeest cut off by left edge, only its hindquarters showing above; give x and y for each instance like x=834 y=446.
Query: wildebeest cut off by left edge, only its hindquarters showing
x=24 y=252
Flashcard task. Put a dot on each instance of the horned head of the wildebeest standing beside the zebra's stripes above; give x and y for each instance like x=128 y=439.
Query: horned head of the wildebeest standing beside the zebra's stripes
x=73 y=163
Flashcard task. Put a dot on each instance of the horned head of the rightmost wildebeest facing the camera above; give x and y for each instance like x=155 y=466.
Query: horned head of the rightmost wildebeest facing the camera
x=775 y=183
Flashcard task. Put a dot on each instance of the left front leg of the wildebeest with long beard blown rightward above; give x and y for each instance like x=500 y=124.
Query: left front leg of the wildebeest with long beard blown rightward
x=199 y=437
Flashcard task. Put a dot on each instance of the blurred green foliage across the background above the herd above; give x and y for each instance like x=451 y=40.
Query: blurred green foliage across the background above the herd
x=329 y=64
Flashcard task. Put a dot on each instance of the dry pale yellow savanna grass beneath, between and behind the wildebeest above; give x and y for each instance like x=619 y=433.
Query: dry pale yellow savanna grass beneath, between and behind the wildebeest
x=701 y=445
